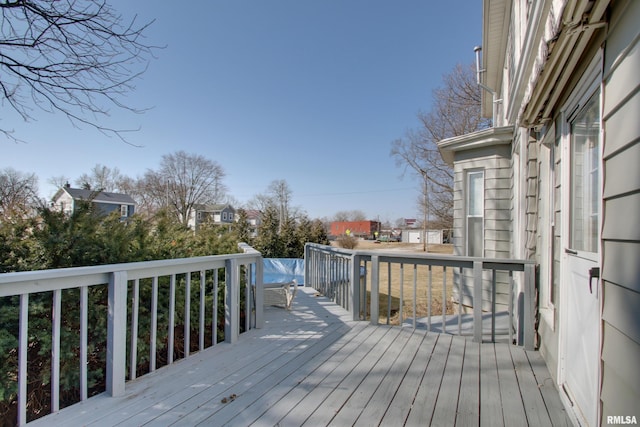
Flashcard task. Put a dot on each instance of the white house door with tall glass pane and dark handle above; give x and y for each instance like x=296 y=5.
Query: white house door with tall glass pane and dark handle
x=581 y=330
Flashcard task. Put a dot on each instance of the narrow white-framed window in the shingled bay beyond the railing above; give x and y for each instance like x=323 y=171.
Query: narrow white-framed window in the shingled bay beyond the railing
x=475 y=213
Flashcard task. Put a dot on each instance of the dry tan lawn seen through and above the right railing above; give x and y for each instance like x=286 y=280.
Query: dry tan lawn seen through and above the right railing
x=400 y=280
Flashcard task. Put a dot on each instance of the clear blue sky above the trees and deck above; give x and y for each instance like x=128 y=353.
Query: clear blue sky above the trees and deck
x=309 y=91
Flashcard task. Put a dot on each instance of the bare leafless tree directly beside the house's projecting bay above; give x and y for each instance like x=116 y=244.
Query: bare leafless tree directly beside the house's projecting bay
x=455 y=111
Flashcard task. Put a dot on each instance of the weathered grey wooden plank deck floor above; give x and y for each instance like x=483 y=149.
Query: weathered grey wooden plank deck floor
x=313 y=366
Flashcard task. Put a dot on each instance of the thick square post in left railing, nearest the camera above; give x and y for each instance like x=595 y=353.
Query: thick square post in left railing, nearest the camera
x=117 y=333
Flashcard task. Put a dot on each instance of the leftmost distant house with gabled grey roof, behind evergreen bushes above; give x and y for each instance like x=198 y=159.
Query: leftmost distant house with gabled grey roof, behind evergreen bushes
x=66 y=200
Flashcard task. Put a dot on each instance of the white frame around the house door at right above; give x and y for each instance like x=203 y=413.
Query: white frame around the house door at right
x=589 y=84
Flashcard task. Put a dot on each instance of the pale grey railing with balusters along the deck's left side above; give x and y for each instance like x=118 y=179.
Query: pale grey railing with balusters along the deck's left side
x=123 y=284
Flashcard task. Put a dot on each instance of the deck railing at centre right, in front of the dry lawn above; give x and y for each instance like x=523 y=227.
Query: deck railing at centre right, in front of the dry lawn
x=352 y=278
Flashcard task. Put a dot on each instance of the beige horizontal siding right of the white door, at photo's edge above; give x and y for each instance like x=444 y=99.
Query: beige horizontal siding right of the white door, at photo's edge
x=621 y=207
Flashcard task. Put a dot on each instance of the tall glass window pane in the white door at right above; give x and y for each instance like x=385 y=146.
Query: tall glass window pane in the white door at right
x=585 y=177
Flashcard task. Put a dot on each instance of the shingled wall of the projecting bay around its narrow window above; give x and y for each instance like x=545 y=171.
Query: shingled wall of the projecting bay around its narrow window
x=496 y=163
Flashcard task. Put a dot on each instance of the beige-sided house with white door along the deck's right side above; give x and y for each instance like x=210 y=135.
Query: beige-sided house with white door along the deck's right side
x=557 y=180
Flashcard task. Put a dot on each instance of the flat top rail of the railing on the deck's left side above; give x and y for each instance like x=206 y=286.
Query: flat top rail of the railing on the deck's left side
x=24 y=282
